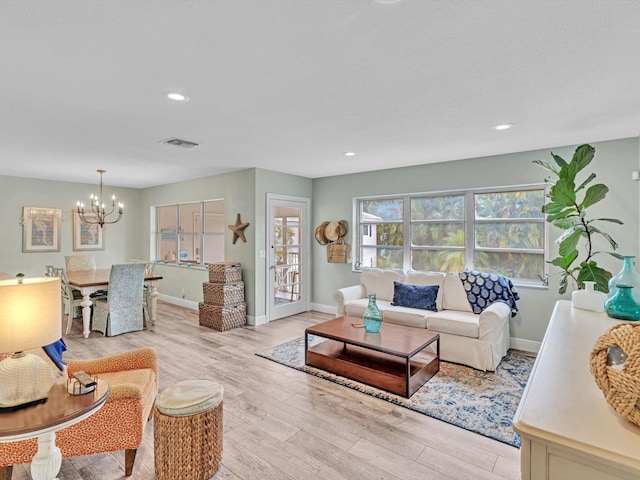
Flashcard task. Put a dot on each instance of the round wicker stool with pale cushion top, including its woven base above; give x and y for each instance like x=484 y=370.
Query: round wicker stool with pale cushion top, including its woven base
x=187 y=430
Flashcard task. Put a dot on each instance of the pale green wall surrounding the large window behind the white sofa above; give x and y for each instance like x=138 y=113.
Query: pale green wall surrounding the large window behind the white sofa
x=614 y=161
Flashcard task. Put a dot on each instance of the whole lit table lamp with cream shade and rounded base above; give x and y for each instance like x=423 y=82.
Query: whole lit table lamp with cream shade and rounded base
x=29 y=318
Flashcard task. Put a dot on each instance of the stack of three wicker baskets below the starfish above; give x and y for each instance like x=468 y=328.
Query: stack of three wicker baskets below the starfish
x=223 y=307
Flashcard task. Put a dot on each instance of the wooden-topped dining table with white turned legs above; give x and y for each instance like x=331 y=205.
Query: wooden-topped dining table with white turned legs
x=90 y=281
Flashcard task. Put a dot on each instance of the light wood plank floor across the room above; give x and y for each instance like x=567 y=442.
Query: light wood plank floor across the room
x=283 y=424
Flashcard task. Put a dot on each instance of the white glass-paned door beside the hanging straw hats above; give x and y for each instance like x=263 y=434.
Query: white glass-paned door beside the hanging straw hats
x=287 y=256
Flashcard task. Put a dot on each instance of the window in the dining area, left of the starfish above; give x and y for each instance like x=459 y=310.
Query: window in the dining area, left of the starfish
x=190 y=233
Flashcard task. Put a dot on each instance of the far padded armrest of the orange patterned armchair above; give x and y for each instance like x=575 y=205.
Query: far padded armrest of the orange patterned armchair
x=131 y=360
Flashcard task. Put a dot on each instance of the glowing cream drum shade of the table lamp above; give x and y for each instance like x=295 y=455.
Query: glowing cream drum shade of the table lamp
x=30 y=313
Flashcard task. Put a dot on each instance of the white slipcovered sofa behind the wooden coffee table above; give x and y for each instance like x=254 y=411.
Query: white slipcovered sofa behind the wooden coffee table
x=477 y=340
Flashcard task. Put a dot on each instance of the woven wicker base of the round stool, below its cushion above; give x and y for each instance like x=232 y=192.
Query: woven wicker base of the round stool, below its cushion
x=188 y=448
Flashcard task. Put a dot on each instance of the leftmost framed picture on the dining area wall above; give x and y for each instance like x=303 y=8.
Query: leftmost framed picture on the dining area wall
x=41 y=229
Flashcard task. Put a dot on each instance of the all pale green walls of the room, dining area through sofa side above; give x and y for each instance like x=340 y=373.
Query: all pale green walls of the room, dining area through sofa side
x=332 y=199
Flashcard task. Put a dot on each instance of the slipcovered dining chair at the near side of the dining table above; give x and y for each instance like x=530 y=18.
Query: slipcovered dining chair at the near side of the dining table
x=122 y=311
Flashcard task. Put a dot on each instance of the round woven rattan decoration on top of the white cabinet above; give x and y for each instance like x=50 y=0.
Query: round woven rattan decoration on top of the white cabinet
x=615 y=364
